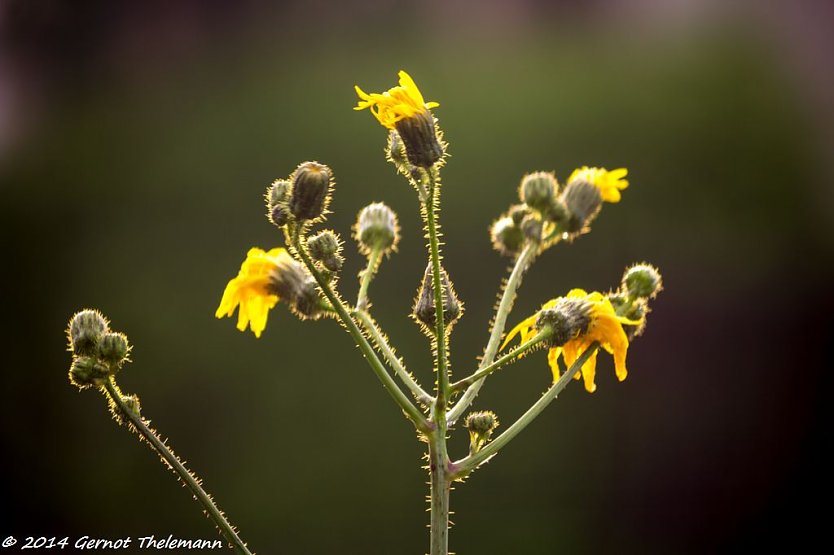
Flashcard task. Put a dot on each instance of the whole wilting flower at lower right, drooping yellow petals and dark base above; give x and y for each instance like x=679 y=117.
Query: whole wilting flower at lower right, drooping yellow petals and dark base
x=583 y=318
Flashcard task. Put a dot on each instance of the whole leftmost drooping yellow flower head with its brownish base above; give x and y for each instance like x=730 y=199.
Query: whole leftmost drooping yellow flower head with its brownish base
x=264 y=279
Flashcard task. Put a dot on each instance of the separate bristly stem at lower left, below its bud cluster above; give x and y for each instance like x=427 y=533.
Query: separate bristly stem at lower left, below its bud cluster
x=184 y=474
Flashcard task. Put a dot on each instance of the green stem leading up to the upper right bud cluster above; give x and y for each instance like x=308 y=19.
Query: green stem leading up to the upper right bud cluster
x=525 y=258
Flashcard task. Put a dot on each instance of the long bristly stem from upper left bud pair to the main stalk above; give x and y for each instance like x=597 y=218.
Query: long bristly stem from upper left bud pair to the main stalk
x=411 y=411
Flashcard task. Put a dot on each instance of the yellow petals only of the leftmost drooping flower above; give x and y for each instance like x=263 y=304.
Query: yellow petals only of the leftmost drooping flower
x=251 y=289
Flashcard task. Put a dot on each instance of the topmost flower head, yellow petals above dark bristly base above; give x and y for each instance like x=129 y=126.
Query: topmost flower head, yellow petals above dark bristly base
x=404 y=110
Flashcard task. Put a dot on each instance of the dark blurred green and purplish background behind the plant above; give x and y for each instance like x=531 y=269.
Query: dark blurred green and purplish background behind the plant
x=136 y=141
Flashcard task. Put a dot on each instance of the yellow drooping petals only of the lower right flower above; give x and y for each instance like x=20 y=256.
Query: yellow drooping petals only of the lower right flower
x=603 y=325
